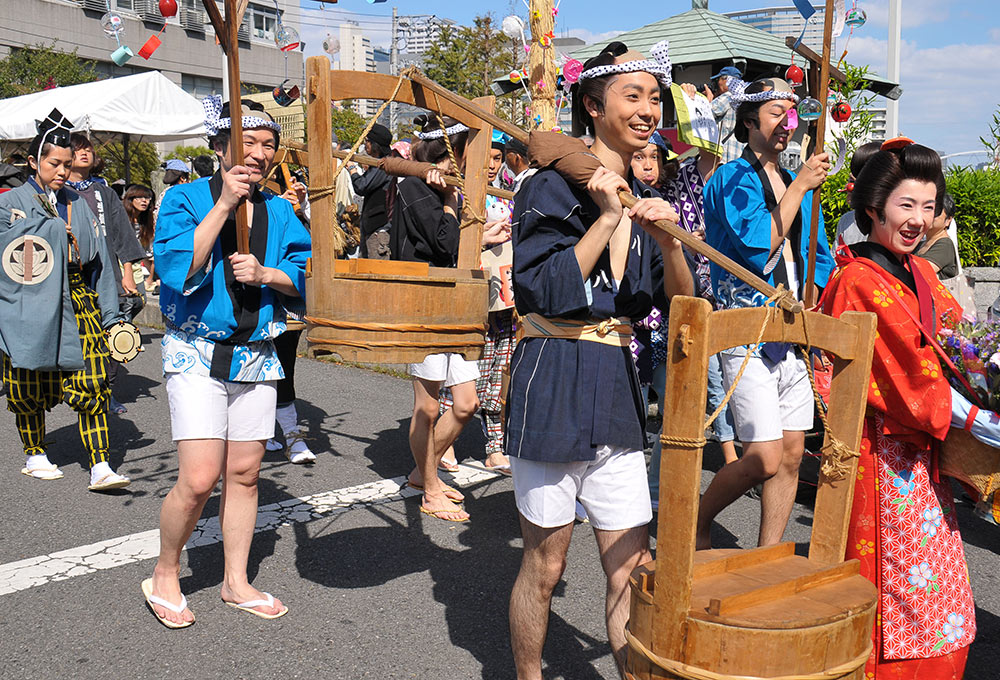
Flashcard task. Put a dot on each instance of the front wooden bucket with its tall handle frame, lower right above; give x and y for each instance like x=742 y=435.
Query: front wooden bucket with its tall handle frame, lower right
x=763 y=612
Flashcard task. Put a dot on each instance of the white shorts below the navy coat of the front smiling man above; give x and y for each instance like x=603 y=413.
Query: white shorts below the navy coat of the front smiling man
x=612 y=488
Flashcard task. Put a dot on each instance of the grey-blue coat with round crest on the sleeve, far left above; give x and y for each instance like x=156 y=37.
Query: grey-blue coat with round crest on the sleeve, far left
x=38 y=329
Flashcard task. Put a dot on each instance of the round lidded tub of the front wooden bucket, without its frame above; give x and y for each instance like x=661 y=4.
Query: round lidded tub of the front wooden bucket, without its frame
x=763 y=613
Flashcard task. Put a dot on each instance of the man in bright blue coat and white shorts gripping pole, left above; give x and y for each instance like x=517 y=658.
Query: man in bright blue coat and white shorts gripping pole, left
x=223 y=310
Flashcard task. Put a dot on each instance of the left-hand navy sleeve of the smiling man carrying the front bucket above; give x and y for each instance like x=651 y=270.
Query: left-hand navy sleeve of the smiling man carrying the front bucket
x=547 y=276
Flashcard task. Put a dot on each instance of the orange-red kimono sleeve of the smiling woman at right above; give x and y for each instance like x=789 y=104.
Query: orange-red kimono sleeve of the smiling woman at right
x=907 y=382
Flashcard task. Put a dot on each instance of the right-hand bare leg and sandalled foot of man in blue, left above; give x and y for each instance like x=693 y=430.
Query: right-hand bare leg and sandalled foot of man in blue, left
x=238 y=517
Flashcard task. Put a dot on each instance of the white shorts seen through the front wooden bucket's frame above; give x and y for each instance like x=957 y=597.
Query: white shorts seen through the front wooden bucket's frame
x=769 y=399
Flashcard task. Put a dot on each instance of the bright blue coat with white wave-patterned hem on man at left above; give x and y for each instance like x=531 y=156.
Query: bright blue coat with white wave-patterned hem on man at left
x=228 y=326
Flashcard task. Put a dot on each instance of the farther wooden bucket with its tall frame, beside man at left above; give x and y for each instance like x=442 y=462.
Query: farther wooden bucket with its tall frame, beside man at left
x=388 y=311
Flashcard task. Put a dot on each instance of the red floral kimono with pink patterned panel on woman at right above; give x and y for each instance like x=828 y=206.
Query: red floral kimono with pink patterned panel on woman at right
x=903 y=526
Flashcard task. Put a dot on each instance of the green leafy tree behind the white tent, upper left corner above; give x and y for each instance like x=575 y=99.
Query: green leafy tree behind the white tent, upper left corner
x=32 y=69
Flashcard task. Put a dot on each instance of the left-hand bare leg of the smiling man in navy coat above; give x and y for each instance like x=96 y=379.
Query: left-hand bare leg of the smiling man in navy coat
x=542 y=565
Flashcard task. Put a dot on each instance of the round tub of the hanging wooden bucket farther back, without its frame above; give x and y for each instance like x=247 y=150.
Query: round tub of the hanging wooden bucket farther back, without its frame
x=388 y=312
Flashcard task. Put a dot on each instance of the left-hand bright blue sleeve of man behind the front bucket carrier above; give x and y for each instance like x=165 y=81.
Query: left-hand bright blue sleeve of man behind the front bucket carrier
x=735 y=208
